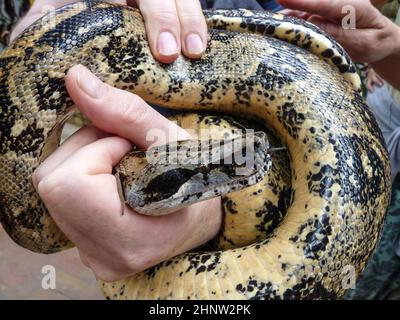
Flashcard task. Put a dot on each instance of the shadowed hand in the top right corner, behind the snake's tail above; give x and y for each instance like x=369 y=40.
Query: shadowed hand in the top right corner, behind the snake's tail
x=374 y=39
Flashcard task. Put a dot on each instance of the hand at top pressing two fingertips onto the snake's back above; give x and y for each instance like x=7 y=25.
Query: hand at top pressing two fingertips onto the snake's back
x=171 y=25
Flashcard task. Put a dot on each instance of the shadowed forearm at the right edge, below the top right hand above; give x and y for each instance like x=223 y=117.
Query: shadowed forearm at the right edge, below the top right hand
x=389 y=67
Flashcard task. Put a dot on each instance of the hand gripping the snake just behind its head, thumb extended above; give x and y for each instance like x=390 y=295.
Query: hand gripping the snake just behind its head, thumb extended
x=79 y=190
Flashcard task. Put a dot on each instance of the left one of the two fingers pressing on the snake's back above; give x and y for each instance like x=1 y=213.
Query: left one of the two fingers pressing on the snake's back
x=162 y=28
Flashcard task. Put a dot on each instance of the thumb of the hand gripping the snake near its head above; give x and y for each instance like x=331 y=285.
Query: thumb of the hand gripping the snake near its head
x=120 y=112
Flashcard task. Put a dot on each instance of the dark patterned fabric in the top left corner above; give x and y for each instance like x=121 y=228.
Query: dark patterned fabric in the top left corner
x=10 y=12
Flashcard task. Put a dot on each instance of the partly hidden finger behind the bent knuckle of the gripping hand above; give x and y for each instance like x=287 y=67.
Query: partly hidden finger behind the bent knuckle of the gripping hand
x=82 y=137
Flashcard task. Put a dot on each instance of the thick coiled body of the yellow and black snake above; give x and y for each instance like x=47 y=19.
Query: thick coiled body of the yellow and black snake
x=312 y=218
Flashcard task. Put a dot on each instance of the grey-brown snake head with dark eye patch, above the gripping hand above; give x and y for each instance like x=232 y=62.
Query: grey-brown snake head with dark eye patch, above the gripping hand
x=181 y=173
